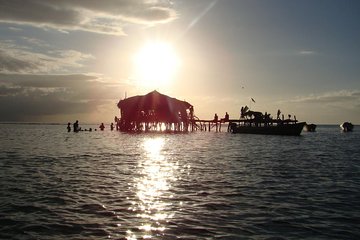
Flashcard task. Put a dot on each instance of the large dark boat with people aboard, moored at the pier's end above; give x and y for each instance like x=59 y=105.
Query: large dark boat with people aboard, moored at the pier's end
x=252 y=122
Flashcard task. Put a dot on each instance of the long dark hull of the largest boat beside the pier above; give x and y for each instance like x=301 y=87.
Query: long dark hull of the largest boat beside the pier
x=280 y=129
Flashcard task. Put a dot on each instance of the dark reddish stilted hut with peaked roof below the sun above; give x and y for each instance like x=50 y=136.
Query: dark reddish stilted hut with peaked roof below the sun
x=155 y=112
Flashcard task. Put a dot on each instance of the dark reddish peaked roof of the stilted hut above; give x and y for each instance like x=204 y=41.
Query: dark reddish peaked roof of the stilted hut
x=153 y=101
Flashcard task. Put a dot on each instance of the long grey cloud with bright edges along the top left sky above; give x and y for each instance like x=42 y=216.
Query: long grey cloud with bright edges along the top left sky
x=104 y=17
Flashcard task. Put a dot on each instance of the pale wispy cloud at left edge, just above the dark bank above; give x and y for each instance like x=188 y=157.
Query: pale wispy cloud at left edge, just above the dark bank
x=17 y=59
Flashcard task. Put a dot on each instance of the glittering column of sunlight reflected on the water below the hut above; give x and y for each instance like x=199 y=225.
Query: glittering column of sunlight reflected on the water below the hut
x=153 y=205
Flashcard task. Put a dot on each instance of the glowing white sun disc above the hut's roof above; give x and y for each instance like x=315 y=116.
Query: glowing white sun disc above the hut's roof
x=155 y=64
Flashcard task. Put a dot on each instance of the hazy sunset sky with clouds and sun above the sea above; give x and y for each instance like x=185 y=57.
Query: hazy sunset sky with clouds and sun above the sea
x=67 y=60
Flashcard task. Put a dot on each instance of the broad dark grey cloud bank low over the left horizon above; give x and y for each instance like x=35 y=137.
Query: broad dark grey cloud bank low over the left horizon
x=24 y=97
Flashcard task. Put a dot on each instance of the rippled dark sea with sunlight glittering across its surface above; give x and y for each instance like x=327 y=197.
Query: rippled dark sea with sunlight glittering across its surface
x=111 y=185
